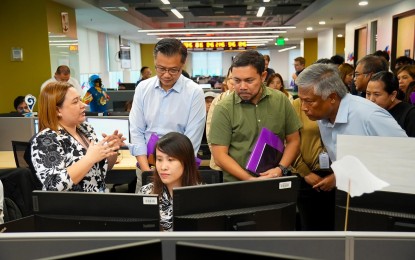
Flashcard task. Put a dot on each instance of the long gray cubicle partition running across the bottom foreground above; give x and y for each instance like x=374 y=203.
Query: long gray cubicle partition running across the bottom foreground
x=317 y=245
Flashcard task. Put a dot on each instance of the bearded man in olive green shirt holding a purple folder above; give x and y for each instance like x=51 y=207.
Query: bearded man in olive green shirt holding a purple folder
x=238 y=119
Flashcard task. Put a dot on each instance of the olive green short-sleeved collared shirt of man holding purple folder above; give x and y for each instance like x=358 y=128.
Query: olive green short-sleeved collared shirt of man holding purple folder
x=237 y=124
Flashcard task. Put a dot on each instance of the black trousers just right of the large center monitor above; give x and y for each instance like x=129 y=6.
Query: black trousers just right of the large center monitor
x=316 y=208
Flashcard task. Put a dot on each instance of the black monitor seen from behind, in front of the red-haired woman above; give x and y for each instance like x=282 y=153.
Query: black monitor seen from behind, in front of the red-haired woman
x=56 y=211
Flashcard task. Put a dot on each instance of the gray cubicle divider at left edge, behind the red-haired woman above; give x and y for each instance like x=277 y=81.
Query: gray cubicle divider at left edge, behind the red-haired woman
x=17 y=129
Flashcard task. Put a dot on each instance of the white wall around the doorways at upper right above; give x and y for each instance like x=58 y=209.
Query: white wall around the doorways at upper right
x=384 y=18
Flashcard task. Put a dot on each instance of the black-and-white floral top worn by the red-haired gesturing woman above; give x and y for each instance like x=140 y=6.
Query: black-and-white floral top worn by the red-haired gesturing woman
x=53 y=152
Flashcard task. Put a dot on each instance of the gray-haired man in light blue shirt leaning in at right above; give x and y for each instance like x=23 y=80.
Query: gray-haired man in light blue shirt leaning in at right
x=324 y=98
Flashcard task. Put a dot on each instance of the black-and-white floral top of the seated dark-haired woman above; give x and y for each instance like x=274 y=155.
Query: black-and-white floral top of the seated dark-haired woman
x=165 y=205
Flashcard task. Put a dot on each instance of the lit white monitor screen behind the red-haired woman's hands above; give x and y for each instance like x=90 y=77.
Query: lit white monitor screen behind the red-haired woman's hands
x=108 y=125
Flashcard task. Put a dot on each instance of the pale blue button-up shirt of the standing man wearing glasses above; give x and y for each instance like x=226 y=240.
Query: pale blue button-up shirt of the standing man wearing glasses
x=180 y=109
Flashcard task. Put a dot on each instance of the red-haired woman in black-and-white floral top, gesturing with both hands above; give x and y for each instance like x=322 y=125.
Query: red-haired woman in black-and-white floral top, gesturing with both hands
x=66 y=153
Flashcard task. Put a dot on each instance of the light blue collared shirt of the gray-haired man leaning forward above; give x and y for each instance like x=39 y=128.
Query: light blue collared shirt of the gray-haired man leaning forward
x=358 y=116
